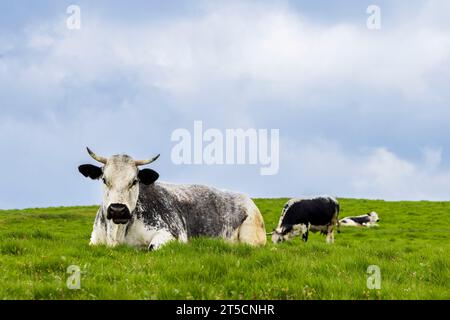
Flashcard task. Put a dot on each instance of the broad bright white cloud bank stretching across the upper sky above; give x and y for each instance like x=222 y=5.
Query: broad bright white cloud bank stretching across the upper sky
x=278 y=53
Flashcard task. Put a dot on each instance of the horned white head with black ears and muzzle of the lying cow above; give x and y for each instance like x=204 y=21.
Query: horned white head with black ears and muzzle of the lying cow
x=121 y=177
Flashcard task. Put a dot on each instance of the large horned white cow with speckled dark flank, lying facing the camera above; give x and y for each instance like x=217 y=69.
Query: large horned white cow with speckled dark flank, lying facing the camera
x=138 y=211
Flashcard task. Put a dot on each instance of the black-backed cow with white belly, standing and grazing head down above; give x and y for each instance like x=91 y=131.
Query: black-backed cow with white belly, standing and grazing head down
x=299 y=216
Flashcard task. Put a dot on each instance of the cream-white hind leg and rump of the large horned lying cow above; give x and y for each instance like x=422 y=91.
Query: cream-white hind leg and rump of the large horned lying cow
x=252 y=230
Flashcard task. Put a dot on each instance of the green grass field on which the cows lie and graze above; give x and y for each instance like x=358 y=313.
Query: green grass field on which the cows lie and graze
x=411 y=247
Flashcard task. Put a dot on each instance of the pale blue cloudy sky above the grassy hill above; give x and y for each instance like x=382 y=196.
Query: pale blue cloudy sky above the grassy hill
x=361 y=113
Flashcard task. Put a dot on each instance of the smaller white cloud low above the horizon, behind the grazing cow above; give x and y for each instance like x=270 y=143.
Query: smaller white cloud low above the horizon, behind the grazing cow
x=367 y=173
